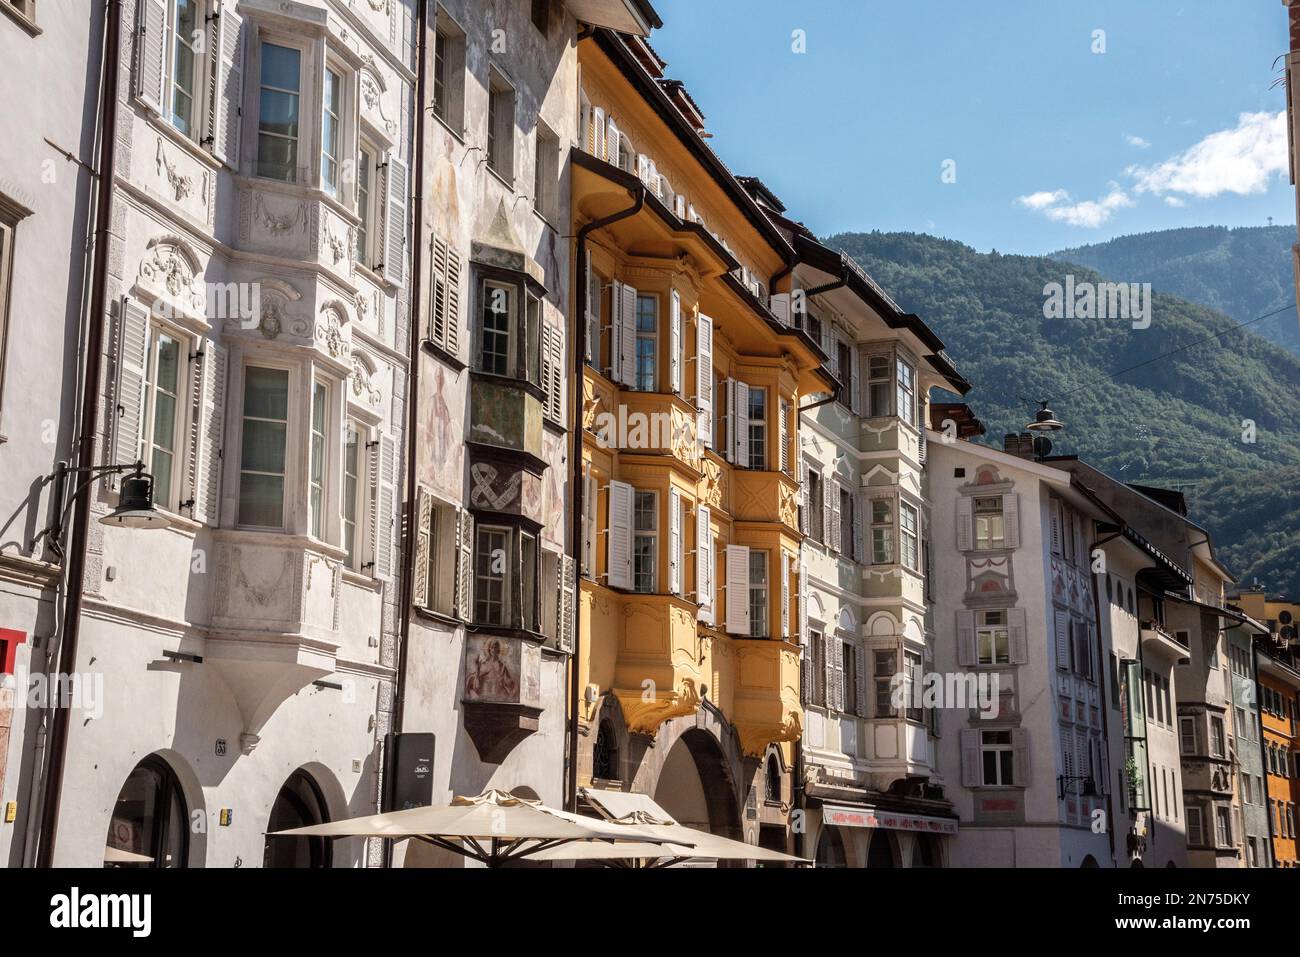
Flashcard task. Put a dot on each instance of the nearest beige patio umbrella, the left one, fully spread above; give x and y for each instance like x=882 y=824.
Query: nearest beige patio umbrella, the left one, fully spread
x=495 y=828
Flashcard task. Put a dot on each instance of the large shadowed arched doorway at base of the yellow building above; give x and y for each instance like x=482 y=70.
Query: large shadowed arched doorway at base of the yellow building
x=696 y=789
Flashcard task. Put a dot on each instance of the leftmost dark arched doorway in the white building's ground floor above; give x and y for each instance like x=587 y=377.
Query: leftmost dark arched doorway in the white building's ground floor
x=150 y=820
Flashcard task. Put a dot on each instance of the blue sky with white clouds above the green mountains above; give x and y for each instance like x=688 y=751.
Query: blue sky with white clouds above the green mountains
x=1055 y=146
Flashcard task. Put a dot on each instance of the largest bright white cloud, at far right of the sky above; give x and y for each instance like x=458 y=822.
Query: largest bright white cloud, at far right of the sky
x=1242 y=161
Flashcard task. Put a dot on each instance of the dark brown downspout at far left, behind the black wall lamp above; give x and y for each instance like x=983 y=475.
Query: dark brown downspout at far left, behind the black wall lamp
x=89 y=408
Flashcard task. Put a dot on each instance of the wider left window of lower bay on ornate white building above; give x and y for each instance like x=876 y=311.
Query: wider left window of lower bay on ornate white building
x=262 y=467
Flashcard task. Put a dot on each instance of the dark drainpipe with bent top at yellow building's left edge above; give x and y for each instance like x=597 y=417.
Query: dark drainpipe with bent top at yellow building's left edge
x=579 y=301
